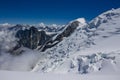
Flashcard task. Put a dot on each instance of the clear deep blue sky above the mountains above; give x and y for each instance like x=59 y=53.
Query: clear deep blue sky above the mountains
x=52 y=11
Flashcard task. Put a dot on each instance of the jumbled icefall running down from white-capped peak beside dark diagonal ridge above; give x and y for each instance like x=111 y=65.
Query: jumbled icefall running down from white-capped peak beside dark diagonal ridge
x=58 y=54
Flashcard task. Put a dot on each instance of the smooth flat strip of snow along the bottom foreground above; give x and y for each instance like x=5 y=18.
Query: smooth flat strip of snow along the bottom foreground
x=9 y=75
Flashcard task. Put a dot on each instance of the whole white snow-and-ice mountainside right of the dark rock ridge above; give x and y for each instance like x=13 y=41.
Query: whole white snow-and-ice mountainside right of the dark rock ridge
x=99 y=38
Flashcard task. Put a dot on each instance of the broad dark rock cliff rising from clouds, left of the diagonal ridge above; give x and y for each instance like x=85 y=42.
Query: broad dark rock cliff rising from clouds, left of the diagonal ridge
x=32 y=38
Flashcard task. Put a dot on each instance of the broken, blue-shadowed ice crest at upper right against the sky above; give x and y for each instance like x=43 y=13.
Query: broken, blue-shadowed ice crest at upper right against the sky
x=105 y=17
